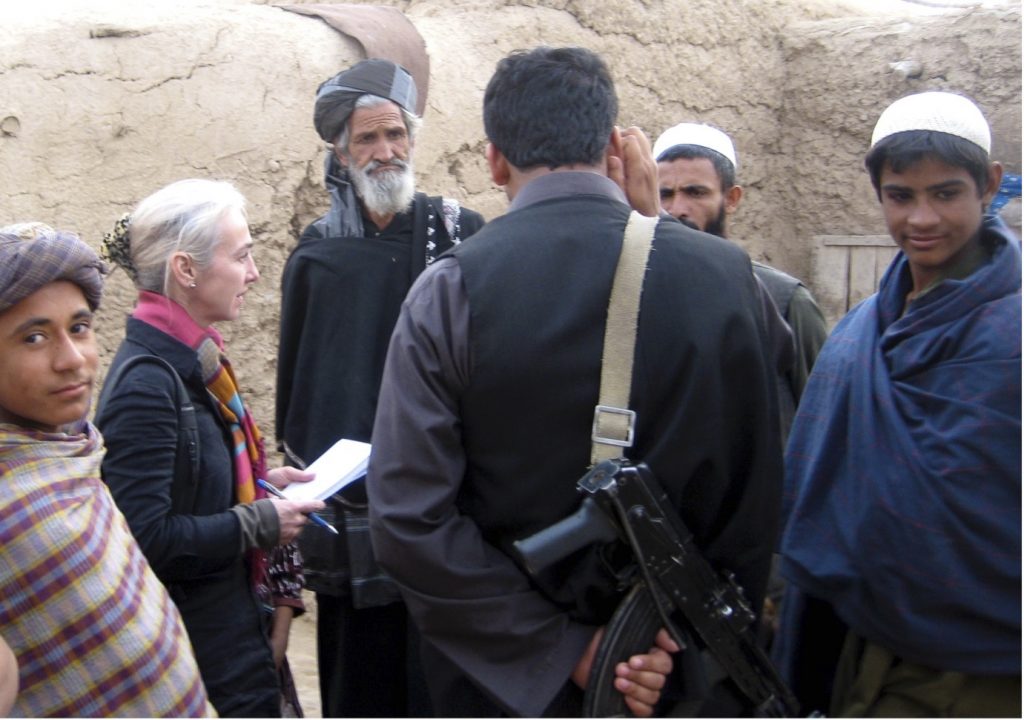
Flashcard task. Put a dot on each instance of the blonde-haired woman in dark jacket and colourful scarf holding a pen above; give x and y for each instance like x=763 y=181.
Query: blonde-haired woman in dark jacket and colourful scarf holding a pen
x=222 y=546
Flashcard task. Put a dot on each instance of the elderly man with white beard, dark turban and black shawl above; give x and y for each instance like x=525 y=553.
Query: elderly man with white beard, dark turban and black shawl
x=342 y=292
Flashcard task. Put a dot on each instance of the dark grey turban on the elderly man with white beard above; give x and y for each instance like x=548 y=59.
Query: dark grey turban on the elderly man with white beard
x=336 y=98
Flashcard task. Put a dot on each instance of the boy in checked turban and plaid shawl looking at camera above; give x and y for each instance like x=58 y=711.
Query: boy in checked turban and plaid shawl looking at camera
x=95 y=632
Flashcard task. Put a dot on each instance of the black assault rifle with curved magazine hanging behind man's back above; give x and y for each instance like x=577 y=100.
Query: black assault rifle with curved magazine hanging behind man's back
x=625 y=501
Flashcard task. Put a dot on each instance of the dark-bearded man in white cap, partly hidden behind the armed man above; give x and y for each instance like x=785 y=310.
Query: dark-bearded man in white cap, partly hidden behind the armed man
x=697 y=170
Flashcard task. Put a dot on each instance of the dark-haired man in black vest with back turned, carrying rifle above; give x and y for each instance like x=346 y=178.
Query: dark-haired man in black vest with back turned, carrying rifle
x=484 y=426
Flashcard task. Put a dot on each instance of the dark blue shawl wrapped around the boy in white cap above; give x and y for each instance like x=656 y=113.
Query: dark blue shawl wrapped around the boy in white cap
x=904 y=471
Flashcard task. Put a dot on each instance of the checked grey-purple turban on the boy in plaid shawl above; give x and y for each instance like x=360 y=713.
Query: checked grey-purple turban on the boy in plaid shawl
x=33 y=256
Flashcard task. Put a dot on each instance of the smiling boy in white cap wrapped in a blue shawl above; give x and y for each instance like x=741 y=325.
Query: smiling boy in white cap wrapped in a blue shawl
x=904 y=540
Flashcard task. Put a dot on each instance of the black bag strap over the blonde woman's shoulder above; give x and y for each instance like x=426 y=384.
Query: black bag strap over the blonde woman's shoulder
x=186 y=481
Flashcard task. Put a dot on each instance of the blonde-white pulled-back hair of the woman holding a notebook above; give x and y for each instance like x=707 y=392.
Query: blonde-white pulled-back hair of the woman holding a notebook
x=185 y=217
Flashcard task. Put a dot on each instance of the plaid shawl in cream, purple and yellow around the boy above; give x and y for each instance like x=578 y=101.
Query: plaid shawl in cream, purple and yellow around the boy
x=94 y=629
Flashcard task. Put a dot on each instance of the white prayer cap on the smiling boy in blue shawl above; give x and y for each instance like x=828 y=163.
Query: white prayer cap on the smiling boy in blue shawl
x=942 y=112
